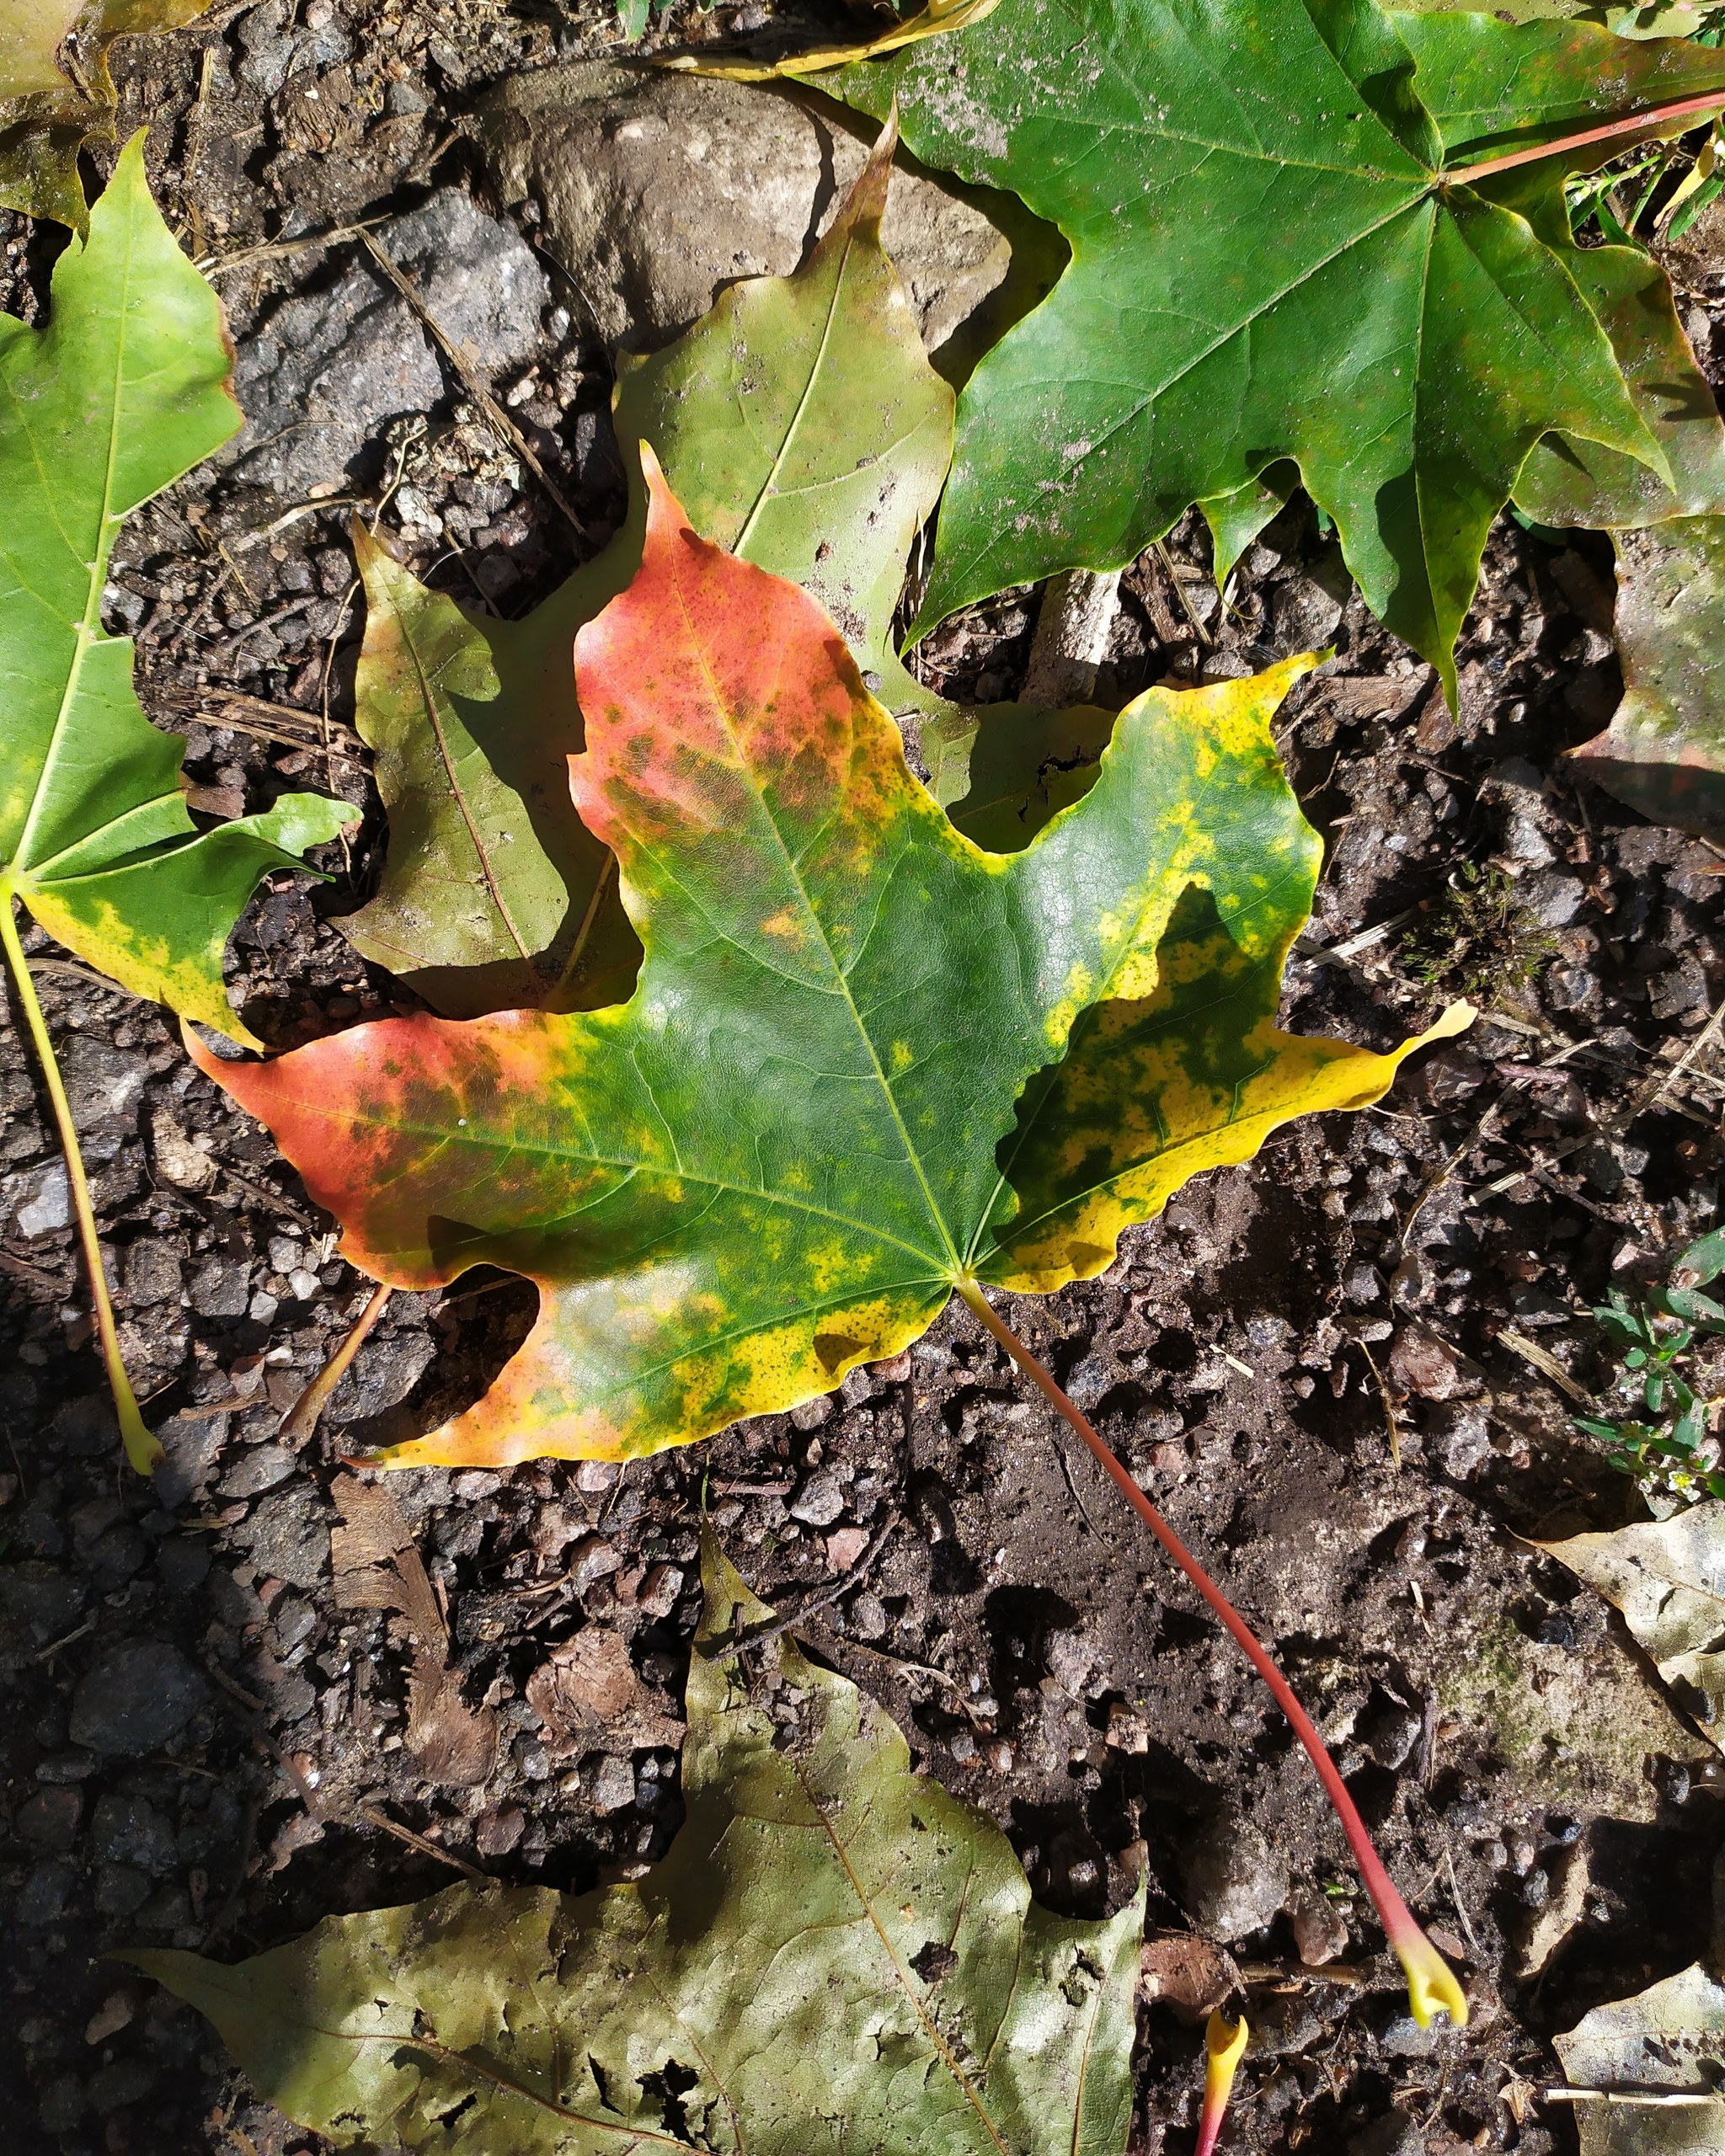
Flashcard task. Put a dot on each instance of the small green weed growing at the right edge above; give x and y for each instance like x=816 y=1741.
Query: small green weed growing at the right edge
x=1672 y=1452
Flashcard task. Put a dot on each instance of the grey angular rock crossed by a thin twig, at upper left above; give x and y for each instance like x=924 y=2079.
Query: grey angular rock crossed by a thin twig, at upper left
x=327 y=372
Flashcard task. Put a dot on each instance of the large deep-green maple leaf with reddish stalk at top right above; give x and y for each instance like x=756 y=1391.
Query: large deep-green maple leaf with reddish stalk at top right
x=1271 y=260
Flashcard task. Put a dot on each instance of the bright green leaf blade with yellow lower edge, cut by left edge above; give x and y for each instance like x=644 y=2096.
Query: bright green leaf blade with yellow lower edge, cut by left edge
x=122 y=393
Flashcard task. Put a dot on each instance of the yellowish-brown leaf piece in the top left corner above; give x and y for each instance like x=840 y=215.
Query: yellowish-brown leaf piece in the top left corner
x=51 y=109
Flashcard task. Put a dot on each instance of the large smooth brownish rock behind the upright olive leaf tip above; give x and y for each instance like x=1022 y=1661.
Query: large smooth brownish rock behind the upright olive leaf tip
x=663 y=189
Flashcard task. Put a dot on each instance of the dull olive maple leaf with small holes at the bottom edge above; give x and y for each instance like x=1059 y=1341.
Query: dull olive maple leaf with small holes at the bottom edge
x=833 y=1957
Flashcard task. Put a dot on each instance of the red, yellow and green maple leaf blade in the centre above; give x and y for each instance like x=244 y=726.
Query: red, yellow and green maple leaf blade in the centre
x=818 y=1111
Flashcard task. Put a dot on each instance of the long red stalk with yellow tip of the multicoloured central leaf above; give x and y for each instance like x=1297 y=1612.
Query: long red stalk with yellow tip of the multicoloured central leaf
x=1431 y=1982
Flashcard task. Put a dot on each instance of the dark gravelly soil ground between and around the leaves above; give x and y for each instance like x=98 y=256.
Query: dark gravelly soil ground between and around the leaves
x=204 y=1750
